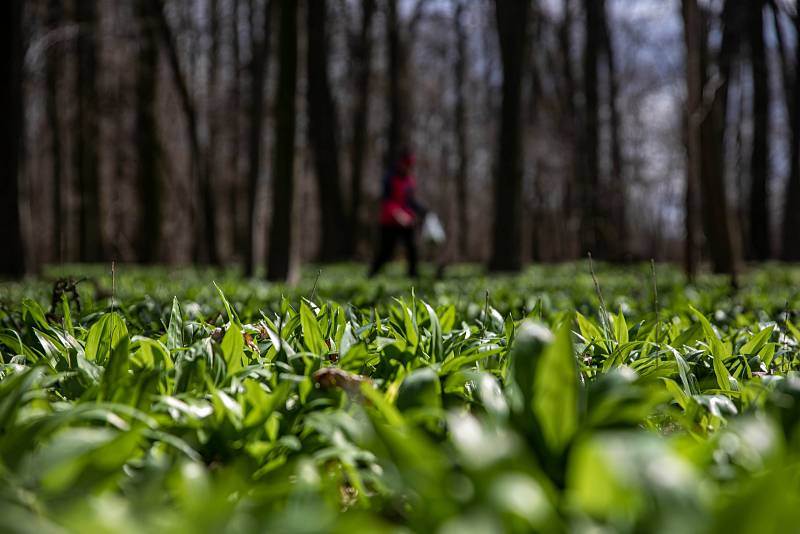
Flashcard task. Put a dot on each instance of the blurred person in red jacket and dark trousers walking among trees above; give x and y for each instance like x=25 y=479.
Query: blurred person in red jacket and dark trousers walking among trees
x=400 y=212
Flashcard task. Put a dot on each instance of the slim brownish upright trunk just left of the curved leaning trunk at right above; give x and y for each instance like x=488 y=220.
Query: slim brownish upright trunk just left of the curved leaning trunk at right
x=694 y=36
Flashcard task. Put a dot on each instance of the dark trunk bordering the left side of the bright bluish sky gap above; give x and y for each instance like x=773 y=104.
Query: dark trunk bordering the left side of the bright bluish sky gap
x=591 y=236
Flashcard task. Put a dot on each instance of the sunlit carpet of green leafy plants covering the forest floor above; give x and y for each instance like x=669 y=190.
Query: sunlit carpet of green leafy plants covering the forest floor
x=565 y=398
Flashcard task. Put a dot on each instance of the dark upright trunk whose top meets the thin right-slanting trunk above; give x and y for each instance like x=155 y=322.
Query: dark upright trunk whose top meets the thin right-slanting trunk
x=148 y=149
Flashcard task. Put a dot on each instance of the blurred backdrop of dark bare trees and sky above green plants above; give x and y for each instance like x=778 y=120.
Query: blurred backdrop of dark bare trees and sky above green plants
x=257 y=132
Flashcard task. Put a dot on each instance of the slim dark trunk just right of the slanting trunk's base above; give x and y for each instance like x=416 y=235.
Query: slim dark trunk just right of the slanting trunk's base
x=258 y=68
